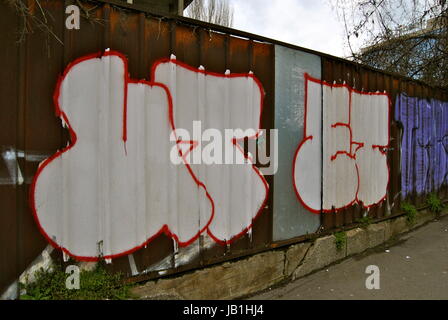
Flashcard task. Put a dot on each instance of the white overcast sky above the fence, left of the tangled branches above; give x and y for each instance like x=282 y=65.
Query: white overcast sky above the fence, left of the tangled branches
x=311 y=24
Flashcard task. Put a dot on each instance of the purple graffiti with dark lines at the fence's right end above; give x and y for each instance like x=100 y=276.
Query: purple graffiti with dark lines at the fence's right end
x=424 y=145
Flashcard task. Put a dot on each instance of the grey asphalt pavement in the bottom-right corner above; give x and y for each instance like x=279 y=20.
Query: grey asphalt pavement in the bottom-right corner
x=414 y=266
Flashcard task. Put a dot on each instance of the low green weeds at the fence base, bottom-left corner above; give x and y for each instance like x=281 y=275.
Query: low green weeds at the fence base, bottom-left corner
x=97 y=284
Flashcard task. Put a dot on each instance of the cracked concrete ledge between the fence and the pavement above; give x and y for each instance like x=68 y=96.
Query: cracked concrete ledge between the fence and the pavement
x=236 y=279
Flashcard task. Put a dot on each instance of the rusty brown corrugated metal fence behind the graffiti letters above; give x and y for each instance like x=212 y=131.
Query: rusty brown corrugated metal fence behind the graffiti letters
x=30 y=131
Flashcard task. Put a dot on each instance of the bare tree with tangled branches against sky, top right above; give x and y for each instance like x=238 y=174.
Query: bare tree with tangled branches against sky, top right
x=405 y=36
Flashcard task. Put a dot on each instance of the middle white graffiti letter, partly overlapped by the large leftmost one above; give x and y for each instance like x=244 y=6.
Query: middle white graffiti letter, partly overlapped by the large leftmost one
x=224 y=102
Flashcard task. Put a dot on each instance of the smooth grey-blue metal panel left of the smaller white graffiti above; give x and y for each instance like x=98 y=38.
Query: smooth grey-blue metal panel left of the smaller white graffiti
x=291 y=219
